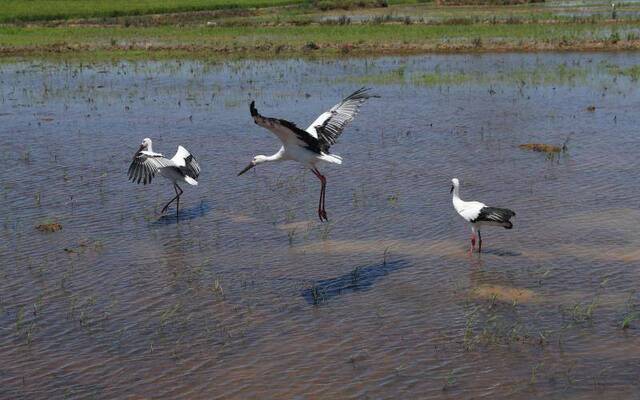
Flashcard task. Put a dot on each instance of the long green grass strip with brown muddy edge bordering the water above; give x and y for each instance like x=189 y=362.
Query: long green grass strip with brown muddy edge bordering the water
x=318 y=39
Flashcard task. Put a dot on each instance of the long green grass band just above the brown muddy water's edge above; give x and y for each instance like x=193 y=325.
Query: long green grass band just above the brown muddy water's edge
x=292 y=35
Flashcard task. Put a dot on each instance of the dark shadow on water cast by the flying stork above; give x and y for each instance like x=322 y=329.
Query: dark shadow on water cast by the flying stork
x=361 y=278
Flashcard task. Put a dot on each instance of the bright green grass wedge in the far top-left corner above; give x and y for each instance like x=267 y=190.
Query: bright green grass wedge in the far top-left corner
x=35 y=10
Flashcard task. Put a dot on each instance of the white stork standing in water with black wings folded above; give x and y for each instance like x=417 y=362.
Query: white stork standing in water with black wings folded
x=479 y=215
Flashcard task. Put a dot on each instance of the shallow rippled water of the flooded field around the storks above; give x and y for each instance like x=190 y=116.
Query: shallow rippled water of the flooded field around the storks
x=249 y=296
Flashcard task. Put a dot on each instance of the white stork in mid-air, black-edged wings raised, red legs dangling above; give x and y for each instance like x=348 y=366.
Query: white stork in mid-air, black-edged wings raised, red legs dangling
x=311 y=146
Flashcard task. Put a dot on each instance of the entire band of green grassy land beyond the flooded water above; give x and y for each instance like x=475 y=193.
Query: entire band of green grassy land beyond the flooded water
x=207 y=29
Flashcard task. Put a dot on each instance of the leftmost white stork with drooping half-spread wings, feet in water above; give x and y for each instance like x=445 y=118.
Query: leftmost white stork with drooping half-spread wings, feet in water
x=182 y=167
